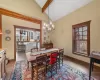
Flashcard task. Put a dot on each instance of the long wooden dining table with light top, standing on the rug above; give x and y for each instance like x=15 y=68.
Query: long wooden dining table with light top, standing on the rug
x=31 y=57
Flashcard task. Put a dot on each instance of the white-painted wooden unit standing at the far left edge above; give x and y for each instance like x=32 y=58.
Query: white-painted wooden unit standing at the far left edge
x=2 y=64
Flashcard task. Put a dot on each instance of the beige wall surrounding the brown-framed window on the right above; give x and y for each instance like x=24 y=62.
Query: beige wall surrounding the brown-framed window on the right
x=62 y=36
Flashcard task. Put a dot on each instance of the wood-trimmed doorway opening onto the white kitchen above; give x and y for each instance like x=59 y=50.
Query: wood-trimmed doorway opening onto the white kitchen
x=25 y=39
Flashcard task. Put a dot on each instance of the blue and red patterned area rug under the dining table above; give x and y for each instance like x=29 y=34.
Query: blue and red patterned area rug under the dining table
x=65 y=73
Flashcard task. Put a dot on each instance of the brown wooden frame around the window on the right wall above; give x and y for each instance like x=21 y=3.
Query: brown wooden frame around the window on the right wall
x=87 y=23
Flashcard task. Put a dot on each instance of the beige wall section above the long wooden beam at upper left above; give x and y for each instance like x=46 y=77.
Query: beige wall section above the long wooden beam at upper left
x=26 y=7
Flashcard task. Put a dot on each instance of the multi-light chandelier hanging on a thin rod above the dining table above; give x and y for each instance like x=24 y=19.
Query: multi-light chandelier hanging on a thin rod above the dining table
x=48 y=26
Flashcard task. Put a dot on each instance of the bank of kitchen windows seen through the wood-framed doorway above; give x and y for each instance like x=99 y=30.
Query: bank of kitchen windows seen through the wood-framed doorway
x=27 y=35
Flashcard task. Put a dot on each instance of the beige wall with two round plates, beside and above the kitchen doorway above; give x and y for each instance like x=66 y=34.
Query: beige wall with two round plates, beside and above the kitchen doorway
x=8 y=24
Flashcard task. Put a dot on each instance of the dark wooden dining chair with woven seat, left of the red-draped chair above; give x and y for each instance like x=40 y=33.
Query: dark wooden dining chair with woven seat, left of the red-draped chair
x=40 y=67
